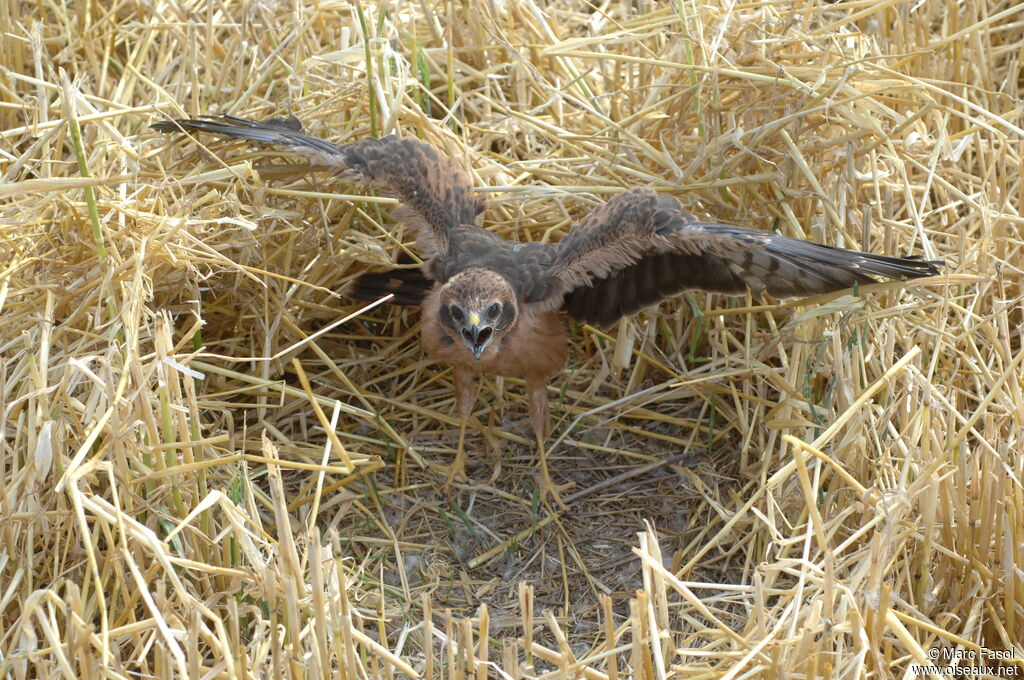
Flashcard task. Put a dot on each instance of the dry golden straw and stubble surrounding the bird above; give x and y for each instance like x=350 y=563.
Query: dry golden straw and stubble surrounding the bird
x=196 y=484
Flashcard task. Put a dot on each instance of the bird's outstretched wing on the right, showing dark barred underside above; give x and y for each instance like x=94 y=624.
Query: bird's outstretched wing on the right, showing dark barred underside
x=642 y=248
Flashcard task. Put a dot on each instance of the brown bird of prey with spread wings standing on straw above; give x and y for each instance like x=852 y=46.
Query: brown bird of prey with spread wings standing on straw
x=495 y=307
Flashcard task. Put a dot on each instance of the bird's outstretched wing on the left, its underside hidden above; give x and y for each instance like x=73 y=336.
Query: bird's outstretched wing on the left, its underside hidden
x=437 y=194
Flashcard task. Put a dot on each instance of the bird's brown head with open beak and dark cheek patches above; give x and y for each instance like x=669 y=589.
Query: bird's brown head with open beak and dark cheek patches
x=478 y=309
